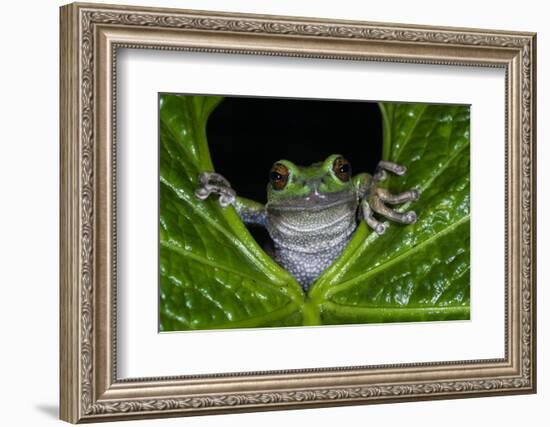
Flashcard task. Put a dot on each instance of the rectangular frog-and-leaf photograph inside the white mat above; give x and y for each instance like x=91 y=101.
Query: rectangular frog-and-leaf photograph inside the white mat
x=312 y=213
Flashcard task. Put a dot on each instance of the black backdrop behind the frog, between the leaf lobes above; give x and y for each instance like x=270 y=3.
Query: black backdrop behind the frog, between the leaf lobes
x=247 y=135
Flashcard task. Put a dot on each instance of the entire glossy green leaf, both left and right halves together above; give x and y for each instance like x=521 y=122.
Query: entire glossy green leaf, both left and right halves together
x=214 y=275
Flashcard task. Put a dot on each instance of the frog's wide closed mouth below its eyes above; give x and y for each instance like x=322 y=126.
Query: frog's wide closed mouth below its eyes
x=315 y=201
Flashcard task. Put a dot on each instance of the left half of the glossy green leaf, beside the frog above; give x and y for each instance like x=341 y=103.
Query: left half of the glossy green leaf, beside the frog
x=212 y=272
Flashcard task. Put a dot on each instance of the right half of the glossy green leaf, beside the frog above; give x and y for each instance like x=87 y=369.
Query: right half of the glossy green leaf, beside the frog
x=412 y=272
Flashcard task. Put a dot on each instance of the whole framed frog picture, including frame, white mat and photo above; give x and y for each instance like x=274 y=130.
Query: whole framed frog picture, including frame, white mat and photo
x=263 y=212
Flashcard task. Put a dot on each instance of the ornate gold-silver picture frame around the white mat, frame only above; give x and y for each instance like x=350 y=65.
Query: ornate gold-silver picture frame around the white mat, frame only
x=90 y=35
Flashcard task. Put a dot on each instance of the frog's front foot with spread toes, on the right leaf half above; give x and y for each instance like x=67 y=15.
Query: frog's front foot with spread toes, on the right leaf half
x=378 y=198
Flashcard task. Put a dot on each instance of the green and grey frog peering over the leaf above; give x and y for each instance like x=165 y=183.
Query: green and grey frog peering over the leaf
x=312 y=211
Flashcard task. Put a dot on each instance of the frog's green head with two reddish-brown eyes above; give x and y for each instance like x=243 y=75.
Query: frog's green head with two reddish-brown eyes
x=310 y=187
